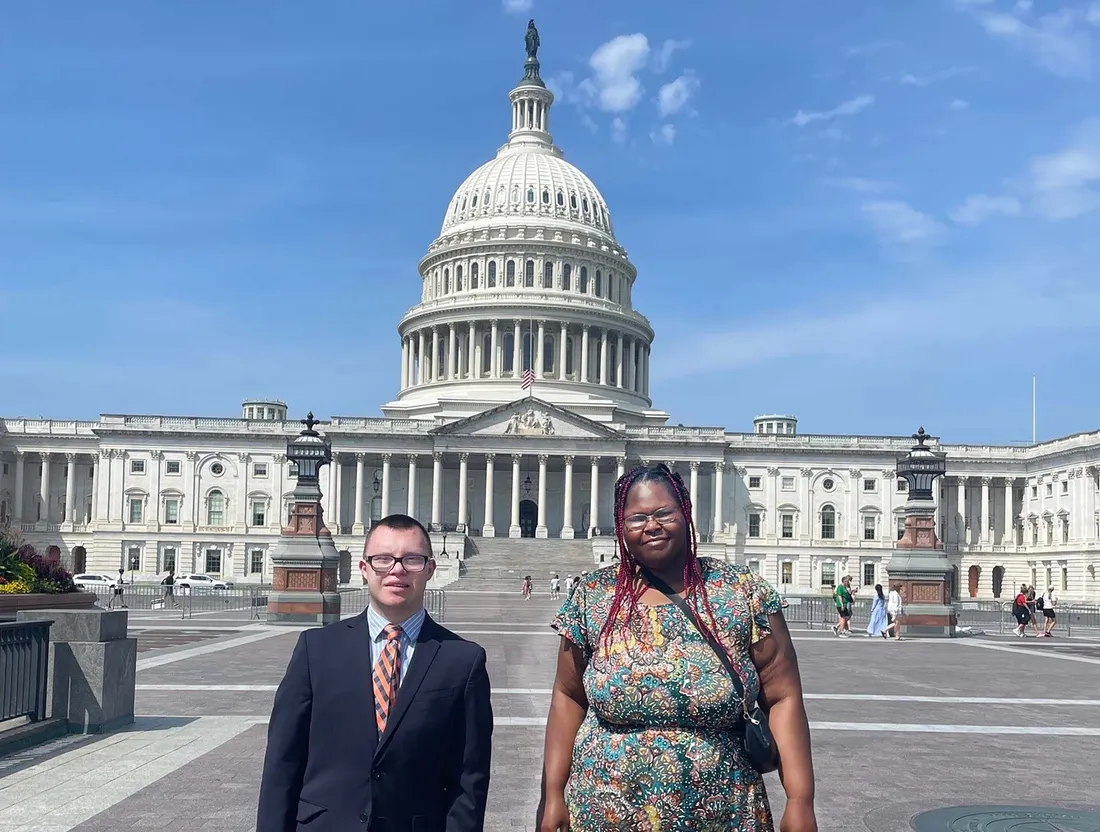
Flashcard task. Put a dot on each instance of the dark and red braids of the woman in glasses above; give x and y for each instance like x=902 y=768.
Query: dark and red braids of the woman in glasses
x=629 y=589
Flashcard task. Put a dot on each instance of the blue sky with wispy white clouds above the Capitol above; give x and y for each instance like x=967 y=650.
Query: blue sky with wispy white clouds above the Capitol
x=873 y=215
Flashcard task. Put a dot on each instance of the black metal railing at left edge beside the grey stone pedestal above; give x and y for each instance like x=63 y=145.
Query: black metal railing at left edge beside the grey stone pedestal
x=25 y=658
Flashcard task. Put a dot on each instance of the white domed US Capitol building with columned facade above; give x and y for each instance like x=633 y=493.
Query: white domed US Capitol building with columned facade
x=527 y=273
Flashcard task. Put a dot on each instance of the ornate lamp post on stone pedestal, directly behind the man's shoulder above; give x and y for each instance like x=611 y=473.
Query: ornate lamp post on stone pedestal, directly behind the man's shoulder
x=305 y=561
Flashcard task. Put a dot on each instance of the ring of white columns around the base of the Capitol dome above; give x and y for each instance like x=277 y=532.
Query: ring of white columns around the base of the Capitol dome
x=463 y=346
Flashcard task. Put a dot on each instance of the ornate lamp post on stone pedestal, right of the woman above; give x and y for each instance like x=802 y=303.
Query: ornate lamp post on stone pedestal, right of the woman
x=919 y=565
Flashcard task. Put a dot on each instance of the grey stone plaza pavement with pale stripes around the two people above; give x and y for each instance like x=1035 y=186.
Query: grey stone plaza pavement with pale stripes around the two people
x=898 y=729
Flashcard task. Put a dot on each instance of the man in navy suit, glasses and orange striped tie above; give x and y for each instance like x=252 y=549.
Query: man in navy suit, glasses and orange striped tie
x=383 y=721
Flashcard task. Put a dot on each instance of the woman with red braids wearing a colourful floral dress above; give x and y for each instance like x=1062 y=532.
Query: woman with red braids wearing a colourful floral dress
x=643 y=732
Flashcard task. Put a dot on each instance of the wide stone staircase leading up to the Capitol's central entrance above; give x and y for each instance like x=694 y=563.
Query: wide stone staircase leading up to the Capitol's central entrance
x=500 y=564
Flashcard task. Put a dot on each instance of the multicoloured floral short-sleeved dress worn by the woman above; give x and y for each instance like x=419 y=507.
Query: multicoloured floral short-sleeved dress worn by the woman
x=656 y=751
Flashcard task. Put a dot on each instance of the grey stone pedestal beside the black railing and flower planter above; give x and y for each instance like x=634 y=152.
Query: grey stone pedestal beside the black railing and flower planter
x=93 y=669
